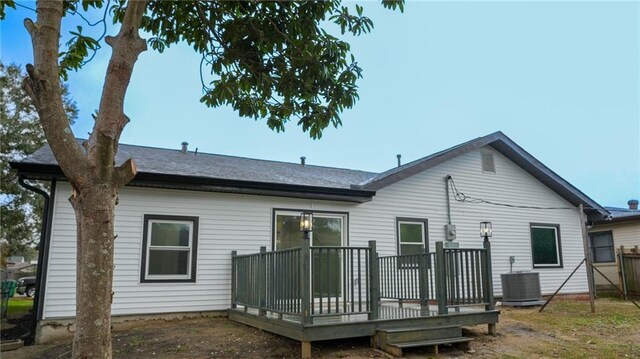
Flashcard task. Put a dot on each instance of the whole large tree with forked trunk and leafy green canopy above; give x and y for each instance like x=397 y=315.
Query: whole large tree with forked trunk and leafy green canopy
x=276 y=61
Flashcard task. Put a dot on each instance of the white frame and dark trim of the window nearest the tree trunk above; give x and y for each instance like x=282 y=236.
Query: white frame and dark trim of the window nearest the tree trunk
x=192 y=224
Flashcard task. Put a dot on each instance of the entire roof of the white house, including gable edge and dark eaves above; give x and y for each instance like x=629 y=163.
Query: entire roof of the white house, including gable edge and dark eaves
x=167 y=168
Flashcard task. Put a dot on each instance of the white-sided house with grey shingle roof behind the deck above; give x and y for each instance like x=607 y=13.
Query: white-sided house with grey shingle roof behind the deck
x=214 y=204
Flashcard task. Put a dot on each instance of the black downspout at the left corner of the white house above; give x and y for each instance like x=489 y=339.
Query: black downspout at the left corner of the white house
x=43 y=254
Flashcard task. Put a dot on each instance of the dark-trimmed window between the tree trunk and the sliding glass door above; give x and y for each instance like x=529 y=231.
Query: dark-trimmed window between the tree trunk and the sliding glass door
x=169 y=249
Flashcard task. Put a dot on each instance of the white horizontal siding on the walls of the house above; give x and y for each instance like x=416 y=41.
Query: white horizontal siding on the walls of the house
x=244 y=223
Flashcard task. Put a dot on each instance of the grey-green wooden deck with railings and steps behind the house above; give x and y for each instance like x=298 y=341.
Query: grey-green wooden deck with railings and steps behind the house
x=323 y=293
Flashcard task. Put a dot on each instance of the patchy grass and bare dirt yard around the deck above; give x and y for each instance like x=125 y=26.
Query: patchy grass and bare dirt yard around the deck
x=566 y=329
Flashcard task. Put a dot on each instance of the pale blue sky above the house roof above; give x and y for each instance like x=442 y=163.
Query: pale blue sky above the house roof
x=560 y=79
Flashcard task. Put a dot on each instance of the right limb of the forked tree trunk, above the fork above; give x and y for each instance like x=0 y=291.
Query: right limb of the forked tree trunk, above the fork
x=126 y=46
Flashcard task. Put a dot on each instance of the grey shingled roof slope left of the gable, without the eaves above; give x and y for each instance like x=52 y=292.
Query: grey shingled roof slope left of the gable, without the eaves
x=205 y=165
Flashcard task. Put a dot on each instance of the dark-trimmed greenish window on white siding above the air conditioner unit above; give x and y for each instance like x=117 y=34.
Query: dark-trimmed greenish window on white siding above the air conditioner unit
x=545 y=246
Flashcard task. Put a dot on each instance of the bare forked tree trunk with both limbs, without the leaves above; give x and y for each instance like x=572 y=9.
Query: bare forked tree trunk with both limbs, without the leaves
x=90 y=170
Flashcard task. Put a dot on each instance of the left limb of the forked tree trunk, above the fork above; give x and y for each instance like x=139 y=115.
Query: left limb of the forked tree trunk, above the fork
x=43 y=86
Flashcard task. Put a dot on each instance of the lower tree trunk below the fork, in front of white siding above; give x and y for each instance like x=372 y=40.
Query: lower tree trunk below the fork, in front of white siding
x=95 y=210
